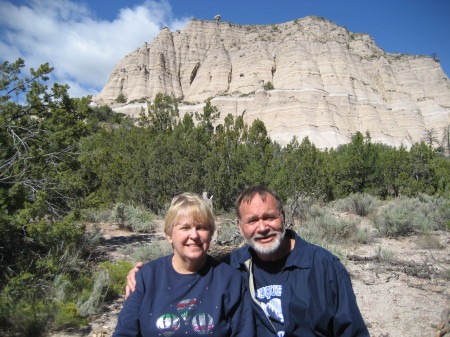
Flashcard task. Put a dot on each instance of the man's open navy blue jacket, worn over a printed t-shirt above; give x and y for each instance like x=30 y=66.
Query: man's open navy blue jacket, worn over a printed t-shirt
x=317 y=298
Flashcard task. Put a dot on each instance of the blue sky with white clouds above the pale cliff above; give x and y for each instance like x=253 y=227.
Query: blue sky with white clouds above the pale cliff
x=83 y=40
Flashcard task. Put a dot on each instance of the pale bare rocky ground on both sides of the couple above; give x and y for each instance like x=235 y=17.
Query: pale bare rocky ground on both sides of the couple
x=402 y=285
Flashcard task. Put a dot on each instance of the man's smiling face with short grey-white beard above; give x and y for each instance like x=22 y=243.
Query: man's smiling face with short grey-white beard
x=261 y=224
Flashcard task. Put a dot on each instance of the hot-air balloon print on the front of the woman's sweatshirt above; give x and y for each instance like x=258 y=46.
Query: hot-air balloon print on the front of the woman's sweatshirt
x=202 y=323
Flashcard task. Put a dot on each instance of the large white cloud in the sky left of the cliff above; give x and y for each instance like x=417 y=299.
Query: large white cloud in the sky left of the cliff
x=82 y=48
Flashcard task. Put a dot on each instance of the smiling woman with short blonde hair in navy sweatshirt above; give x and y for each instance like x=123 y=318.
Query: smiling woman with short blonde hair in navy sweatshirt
x=187 y=293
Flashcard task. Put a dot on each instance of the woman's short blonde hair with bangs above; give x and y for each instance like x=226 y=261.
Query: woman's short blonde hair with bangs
x=189 y=204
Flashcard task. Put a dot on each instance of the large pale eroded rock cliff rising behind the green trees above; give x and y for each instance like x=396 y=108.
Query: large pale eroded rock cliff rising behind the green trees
x=328 y=82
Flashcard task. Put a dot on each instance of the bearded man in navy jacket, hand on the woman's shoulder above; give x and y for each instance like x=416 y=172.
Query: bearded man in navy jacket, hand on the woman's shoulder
x=298 y=289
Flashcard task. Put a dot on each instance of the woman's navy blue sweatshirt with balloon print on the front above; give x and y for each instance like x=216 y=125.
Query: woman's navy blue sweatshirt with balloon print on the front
x=211 y=302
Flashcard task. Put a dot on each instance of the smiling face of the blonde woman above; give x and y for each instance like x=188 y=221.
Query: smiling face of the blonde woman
x=190 y=239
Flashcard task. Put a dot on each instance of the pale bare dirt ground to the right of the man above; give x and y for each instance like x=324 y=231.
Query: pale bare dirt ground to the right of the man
x=404 y=297
